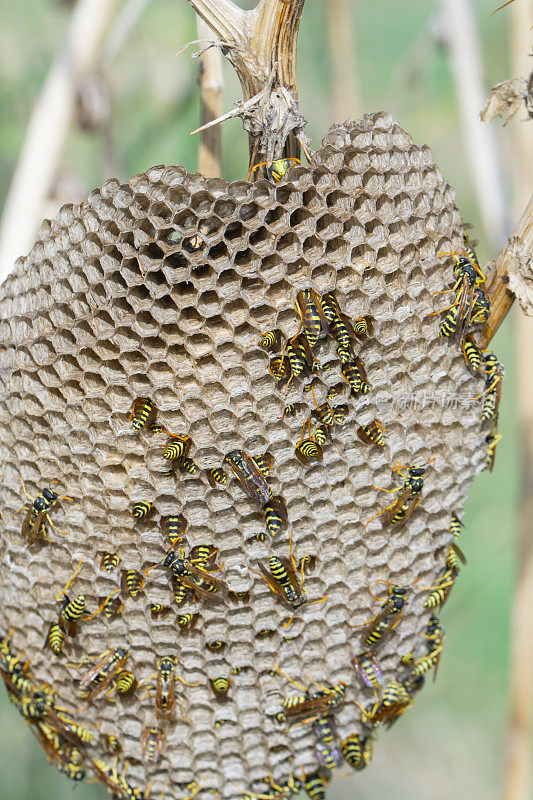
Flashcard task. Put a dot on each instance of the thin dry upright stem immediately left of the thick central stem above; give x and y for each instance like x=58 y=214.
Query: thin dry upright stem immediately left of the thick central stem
x=211 y=97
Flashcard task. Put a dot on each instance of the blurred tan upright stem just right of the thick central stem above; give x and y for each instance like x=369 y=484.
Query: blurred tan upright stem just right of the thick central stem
x=344 y=96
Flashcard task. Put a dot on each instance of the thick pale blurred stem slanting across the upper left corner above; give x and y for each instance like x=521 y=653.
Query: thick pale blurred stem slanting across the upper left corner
x=48 y=128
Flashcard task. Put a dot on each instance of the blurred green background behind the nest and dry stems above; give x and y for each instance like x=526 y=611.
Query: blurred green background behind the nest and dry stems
x=452 y=743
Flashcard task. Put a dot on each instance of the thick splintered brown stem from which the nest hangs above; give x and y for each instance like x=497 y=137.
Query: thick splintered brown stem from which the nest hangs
x=261 y=46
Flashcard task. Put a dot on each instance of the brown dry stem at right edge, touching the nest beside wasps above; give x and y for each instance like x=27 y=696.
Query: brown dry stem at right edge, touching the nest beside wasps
x=512 y=261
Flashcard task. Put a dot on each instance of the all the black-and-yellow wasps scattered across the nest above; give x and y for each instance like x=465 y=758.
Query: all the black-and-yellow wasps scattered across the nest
x=192 y=569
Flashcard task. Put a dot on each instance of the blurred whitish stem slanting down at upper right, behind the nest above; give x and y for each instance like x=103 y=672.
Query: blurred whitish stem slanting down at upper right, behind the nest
x=466 y=64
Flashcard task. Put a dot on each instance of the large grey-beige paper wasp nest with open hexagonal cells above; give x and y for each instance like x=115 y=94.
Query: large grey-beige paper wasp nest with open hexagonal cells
x=120 y=300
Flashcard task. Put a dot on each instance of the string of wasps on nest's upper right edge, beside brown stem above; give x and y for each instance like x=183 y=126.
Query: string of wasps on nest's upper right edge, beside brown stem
x=469 y=311
